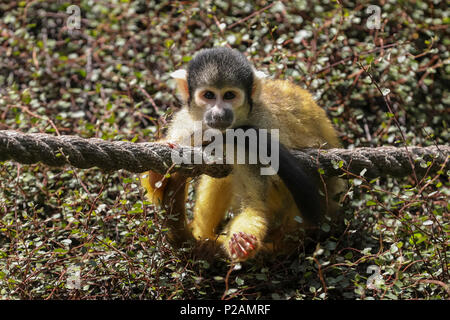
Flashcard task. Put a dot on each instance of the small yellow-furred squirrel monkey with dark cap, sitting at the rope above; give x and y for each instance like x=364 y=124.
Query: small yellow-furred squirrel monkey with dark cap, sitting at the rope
x=221 y=90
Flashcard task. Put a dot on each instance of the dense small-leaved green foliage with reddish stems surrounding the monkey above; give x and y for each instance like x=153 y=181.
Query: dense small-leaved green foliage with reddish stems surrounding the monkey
x=109 y=79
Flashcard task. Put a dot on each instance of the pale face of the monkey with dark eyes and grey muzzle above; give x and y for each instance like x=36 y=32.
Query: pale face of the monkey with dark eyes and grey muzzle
x=219 y=105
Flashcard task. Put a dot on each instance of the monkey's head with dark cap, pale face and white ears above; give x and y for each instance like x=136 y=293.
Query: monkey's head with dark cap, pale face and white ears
x=219 y=87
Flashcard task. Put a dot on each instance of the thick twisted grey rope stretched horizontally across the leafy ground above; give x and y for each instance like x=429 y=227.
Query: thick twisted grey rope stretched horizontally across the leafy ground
x=83 y=153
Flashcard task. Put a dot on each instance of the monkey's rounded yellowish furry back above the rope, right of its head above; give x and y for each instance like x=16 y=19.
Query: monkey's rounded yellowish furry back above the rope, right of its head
x=292 y=110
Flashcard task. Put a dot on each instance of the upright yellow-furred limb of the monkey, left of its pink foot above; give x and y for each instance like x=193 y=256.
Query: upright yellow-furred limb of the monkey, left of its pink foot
x=212 y=201
